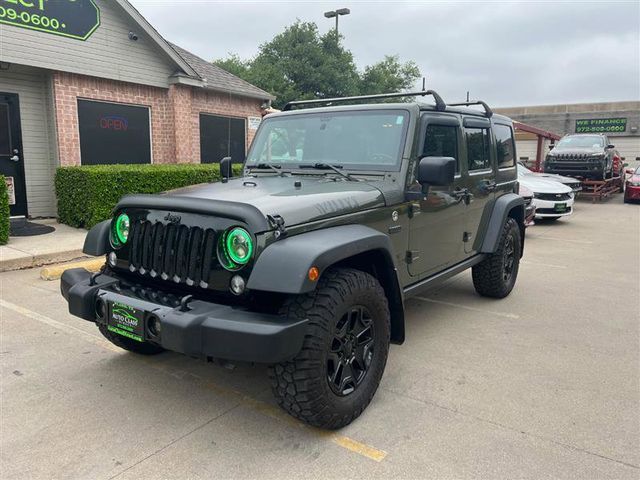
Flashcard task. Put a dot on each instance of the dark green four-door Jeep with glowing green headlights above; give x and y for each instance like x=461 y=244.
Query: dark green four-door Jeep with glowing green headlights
x=343 y=212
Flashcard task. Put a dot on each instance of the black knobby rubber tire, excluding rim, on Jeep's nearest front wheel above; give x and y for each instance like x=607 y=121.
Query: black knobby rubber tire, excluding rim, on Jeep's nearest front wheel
x=301 y=385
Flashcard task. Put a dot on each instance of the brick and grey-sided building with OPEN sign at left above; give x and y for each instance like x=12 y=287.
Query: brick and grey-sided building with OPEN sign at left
x=91 y=82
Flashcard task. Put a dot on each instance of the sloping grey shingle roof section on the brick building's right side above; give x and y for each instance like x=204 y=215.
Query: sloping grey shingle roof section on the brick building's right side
x=218 y=79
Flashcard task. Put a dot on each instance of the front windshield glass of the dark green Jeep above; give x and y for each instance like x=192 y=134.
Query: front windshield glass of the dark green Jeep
x=358 y=140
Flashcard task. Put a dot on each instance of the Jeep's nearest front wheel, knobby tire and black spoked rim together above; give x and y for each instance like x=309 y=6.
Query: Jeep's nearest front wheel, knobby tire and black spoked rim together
x=338 y=370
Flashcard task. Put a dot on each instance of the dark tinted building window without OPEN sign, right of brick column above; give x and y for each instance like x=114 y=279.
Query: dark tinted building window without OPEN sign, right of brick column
x=222 y=137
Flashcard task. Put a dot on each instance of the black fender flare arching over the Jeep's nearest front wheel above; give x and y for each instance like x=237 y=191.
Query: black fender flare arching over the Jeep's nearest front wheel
x=283 y=266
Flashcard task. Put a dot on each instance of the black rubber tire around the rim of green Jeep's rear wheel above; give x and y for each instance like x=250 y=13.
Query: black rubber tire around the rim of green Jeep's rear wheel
x=489 y=275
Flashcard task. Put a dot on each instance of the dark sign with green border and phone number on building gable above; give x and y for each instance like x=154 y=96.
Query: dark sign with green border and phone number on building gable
x=68 y=18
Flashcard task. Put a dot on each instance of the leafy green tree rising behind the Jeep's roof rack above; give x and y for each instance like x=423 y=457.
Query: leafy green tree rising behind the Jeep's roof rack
x=300 y=63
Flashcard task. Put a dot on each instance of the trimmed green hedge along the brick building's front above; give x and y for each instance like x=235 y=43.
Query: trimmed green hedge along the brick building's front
x=87 y=195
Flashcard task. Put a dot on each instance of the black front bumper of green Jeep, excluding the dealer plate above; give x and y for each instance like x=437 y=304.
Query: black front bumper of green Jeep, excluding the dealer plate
x=203 y=330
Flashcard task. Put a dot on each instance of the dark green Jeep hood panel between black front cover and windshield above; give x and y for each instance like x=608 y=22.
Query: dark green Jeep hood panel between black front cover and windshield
x=315 y=199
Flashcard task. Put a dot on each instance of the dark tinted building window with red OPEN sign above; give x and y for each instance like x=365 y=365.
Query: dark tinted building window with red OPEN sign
x=112 y=133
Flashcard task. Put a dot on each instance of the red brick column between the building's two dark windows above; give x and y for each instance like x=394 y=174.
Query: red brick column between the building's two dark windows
x=181 y=101
